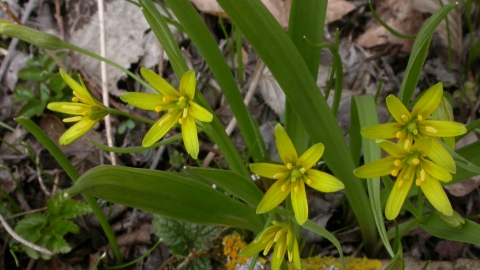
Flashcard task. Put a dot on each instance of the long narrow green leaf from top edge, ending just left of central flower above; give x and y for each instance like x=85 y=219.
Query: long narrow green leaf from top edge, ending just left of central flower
x=202 y=38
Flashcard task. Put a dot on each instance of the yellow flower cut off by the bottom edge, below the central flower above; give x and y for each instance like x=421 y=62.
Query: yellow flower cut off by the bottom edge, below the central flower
x=282 y=236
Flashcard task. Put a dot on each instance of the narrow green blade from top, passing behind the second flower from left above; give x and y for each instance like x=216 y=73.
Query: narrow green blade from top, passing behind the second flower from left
x=215 y=129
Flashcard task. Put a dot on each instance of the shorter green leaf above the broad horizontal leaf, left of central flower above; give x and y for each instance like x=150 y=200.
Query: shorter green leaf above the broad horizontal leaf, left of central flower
x=232 y=182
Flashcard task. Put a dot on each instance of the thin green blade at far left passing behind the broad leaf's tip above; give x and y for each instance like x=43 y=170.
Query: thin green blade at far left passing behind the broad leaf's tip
x=73 y=174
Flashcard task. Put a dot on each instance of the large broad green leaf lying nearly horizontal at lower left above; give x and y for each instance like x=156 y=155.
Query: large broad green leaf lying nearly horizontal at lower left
x=170 y=194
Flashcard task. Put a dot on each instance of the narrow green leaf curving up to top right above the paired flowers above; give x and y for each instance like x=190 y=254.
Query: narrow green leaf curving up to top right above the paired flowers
x=419 y=52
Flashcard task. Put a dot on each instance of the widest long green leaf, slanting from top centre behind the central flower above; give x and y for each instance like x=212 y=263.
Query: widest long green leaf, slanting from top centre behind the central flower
x=285 y=62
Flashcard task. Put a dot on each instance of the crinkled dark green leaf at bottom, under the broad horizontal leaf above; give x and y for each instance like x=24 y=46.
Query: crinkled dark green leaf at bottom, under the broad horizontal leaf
x=181 y=237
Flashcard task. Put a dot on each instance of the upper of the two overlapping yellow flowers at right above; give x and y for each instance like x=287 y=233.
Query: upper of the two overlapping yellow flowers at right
x=410 y=126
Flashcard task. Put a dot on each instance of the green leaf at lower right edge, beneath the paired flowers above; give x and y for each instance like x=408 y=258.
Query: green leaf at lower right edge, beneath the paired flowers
x=468 y=233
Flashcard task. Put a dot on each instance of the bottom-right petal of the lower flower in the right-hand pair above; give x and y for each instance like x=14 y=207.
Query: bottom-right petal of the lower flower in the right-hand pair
x=436 y=196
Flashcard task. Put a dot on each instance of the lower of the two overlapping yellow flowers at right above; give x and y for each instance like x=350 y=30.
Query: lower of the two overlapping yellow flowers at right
x=409 y=166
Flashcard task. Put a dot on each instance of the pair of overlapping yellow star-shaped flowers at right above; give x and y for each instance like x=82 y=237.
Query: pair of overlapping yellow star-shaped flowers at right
x=418 y=154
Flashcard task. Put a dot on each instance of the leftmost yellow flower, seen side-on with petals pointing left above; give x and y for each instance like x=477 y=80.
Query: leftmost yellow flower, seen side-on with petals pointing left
x=87 y=109
